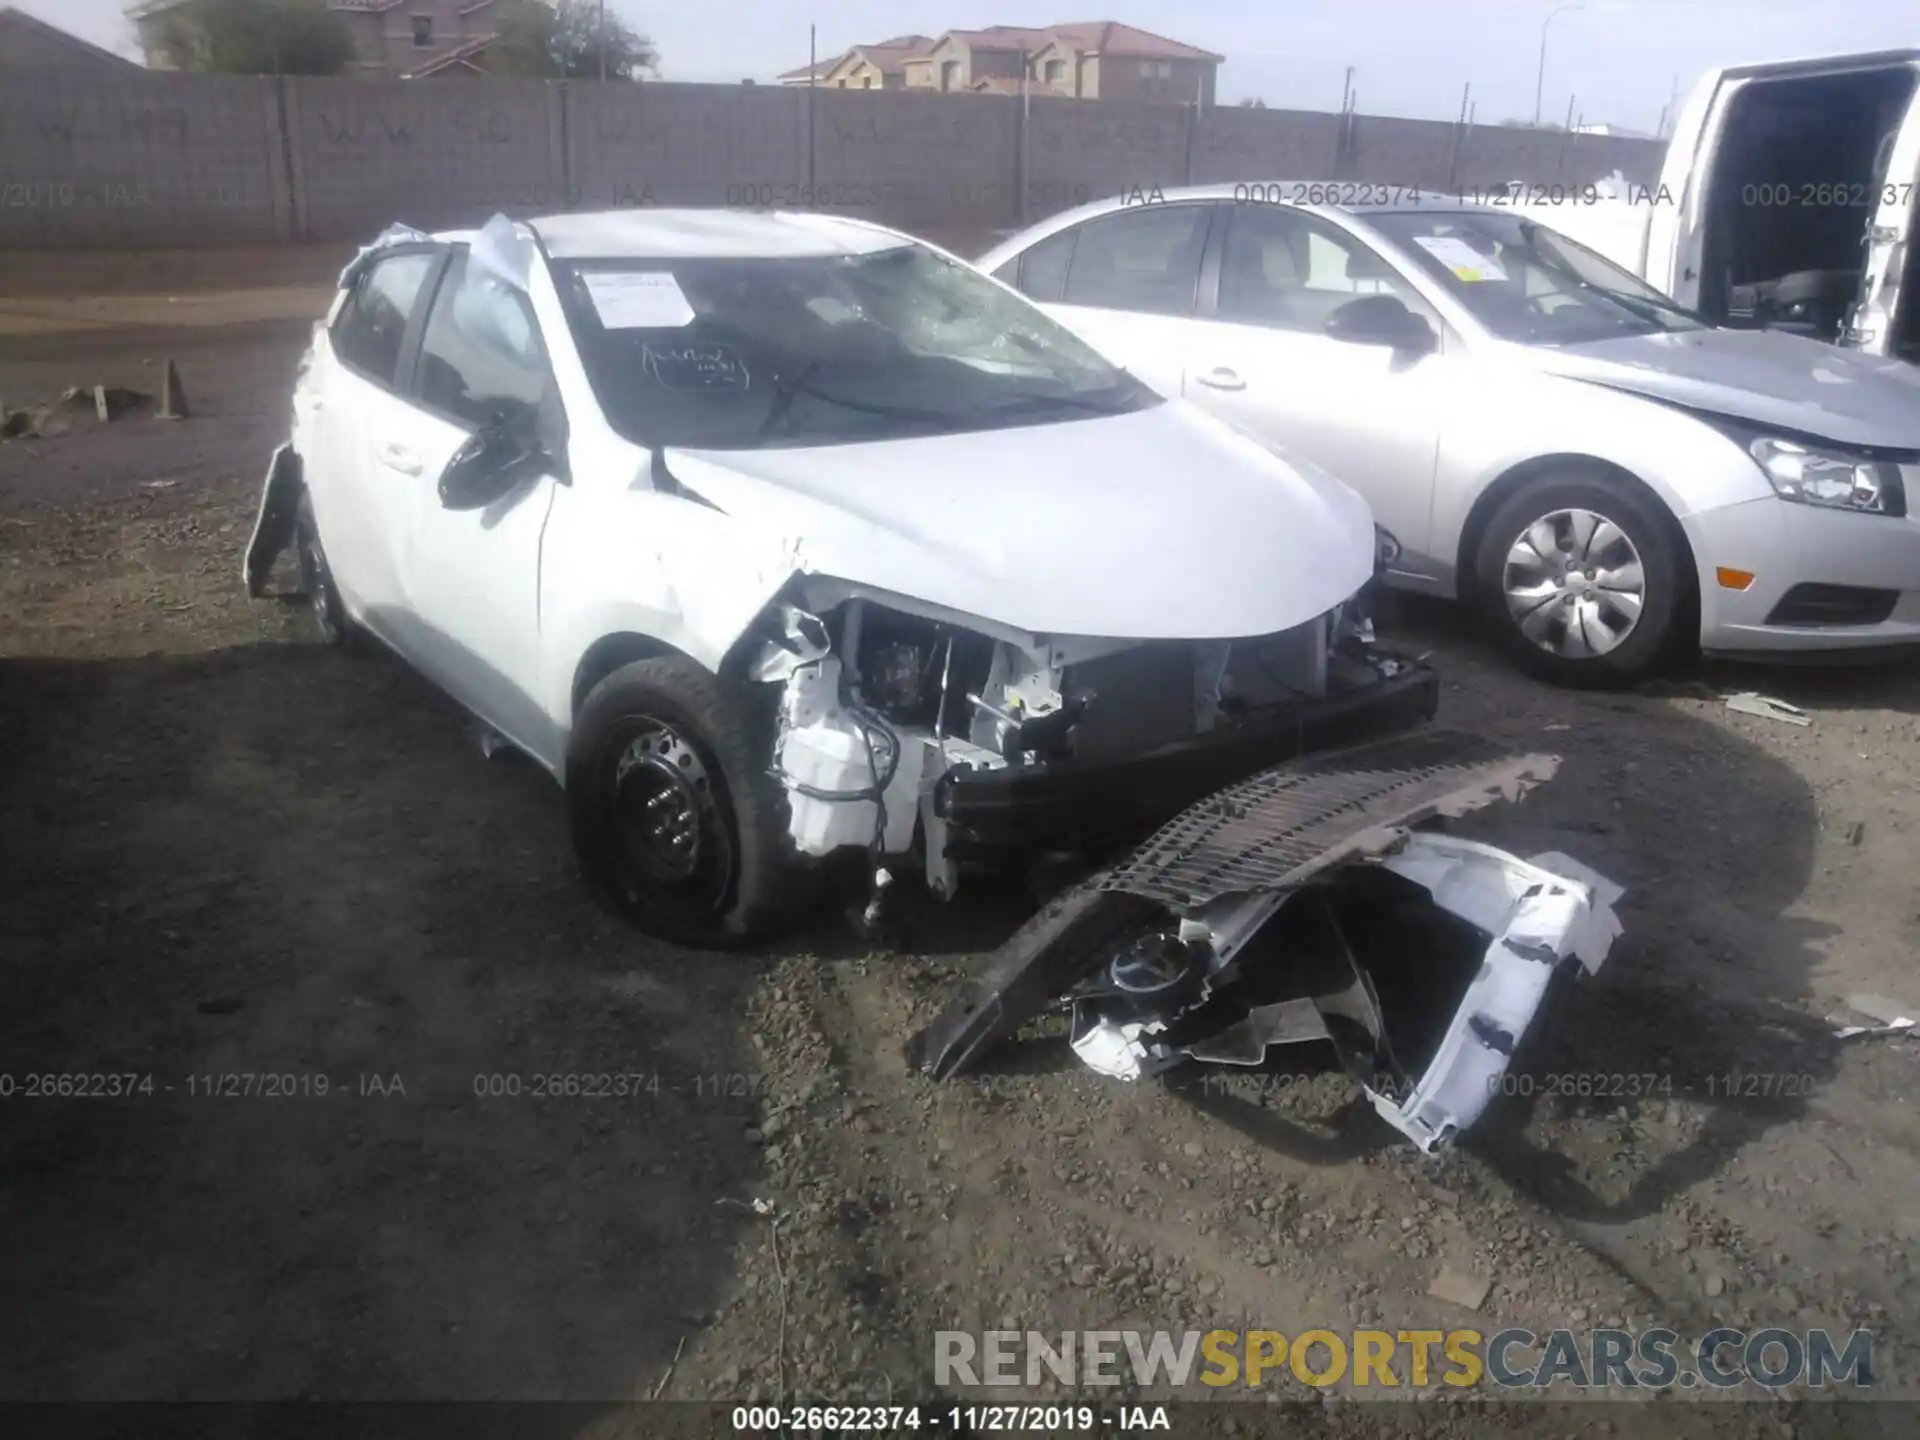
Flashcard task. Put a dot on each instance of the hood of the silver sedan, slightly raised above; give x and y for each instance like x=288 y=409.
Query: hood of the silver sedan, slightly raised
x=1764 y=377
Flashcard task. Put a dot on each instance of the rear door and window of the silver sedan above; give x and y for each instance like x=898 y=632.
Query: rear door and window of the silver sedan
x=1126 y=283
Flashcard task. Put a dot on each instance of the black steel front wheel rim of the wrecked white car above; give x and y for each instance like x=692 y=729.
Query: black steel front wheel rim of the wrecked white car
x=679 y=844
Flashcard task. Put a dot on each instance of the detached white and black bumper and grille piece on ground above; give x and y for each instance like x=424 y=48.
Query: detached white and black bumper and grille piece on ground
x=1312 y=905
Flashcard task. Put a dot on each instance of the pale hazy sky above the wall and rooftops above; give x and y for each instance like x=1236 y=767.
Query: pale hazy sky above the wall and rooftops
x=1618 y=59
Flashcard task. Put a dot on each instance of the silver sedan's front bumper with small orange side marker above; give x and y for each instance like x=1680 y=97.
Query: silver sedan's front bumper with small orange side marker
x=1823 y=583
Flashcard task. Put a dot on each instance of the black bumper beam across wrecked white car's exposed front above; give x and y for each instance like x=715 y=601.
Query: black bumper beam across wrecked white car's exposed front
x=1086 y=804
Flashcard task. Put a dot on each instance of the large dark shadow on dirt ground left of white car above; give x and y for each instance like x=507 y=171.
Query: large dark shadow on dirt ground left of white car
x=341 y=1086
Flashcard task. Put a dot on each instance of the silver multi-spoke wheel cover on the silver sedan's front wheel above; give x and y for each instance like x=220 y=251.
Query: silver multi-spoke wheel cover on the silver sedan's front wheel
x=1575 y=585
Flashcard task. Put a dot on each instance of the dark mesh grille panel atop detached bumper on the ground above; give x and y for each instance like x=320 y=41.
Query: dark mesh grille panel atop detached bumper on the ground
x=1284 y=827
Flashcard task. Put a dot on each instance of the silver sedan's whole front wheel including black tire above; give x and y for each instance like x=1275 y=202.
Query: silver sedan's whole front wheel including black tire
x=1566 y=654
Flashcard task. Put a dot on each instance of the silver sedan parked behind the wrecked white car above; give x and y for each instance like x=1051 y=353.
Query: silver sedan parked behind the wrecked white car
x=1598 y=469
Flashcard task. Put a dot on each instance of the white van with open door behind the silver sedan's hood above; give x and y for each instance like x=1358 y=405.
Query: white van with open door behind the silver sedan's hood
x=1787 y=203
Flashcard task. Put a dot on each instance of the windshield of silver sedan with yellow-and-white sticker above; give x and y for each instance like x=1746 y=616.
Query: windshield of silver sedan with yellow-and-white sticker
x=1529 y=283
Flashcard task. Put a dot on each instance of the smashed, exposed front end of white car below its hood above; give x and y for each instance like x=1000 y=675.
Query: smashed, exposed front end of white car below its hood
x=944 y=742
